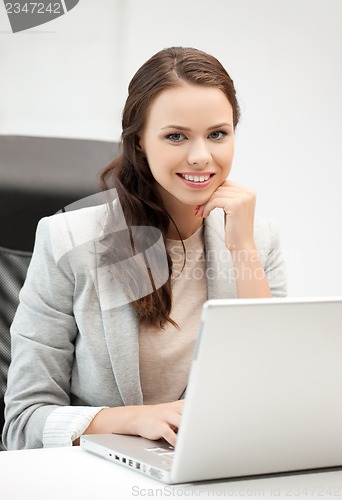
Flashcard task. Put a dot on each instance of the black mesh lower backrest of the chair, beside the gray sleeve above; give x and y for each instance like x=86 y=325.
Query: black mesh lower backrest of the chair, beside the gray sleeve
x=13 y=267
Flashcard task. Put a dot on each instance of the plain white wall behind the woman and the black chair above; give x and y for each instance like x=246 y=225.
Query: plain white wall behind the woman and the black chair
x=285 y=58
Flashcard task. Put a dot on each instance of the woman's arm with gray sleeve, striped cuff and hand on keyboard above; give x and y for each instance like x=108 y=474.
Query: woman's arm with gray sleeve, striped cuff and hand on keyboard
x=39 y=410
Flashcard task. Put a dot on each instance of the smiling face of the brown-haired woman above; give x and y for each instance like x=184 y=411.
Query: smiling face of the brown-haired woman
x=188 y=141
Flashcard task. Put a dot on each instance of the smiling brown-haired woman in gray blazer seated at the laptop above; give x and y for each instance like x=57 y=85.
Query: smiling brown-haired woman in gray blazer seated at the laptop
x=92 y=355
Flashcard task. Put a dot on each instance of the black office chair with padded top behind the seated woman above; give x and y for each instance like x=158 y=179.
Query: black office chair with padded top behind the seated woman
x=38 y=177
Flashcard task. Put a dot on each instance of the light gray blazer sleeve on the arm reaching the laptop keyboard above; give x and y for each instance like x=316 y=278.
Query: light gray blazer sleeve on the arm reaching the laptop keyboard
x=43 y=337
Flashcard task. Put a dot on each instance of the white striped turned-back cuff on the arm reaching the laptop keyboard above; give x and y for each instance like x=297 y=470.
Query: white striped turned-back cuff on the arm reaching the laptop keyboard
x=67 y=423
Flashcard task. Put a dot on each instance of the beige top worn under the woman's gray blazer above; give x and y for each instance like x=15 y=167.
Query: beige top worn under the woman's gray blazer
x=165 y=356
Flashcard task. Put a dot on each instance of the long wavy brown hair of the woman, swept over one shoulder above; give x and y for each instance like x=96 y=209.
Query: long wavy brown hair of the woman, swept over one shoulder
x=130 y=173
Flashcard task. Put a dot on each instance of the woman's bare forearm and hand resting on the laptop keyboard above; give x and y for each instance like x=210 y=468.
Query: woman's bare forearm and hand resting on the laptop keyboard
x=148 y=421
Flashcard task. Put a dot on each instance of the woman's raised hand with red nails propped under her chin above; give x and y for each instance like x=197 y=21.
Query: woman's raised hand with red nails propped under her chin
x=238 y=204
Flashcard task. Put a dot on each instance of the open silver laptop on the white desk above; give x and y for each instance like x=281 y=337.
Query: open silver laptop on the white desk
x=264 y=396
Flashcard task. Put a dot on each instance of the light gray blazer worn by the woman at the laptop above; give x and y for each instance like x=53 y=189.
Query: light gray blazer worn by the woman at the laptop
x=68 y=347
